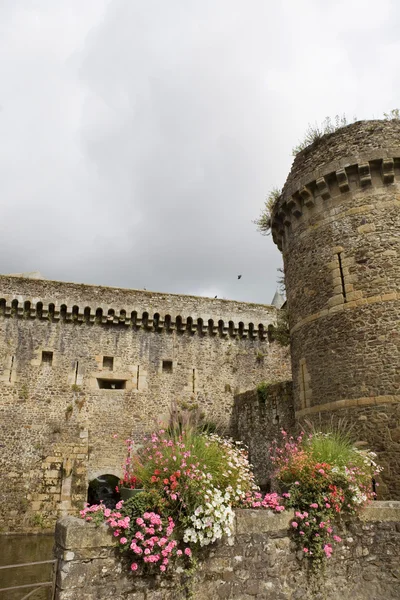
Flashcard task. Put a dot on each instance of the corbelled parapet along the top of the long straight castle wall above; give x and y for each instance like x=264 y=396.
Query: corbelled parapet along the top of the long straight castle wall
x=80 y=303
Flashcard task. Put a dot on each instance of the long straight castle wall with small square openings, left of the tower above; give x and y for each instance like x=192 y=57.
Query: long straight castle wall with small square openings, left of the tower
x=59 y=342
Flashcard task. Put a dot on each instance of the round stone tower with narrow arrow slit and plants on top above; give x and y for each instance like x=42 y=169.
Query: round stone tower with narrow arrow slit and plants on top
x=337 y=223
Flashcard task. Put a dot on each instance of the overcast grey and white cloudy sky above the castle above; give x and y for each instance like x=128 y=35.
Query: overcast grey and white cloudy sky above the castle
x=138 y=140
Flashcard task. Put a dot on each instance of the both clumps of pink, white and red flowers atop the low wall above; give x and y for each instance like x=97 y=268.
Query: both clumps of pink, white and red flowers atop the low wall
x=193 y=481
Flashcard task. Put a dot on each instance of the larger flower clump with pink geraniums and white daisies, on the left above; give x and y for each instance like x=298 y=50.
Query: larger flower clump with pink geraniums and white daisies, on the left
x=192 y=481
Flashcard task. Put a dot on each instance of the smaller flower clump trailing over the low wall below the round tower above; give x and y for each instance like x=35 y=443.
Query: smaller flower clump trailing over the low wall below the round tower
x=325 y=476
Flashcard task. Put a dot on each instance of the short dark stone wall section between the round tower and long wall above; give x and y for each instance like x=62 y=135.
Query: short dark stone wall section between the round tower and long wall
x=257 y=419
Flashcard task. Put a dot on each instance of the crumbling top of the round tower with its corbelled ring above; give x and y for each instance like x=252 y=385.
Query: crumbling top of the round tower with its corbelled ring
x=366 y=153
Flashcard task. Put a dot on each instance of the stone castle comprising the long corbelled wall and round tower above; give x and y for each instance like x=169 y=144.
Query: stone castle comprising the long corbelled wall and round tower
x=79 y=363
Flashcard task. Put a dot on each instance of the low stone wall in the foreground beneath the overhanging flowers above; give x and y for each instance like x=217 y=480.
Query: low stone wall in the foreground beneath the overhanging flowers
x=259 y=562
